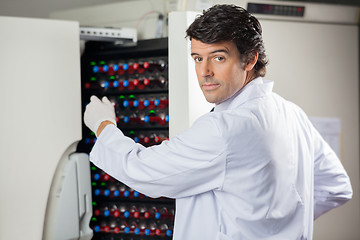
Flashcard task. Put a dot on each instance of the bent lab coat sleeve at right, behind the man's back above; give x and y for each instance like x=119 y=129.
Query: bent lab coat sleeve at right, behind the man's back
x=332 y=187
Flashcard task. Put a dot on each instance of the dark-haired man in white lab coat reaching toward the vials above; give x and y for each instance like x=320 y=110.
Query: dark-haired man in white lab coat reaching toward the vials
x=254 y=168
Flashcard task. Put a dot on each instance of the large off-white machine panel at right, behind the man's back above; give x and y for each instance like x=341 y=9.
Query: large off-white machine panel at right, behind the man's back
x=316 y=65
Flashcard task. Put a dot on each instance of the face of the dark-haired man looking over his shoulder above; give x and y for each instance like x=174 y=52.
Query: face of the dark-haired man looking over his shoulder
x=218 y=68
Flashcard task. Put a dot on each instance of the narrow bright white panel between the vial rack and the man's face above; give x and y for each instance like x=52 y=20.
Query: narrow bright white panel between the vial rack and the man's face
x=187 y=102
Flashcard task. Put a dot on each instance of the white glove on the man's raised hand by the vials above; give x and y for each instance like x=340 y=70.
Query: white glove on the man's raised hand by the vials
x=98 y=111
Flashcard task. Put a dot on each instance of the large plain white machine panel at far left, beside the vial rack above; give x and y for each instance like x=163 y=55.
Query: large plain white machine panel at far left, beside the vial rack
x=40 y=107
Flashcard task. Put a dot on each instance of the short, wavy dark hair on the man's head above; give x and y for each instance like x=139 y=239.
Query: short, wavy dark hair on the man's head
x=231 y=23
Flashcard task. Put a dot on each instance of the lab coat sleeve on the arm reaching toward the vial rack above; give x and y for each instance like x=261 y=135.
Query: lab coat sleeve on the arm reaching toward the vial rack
x=189 y=164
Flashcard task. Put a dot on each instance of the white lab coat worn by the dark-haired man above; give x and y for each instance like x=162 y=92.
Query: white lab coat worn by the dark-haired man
x=255 y=168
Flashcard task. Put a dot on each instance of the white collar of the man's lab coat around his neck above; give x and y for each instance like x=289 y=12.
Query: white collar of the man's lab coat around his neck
x=254 y=89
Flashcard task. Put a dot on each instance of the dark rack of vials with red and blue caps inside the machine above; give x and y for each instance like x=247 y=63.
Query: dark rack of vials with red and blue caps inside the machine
x=135 y=79
